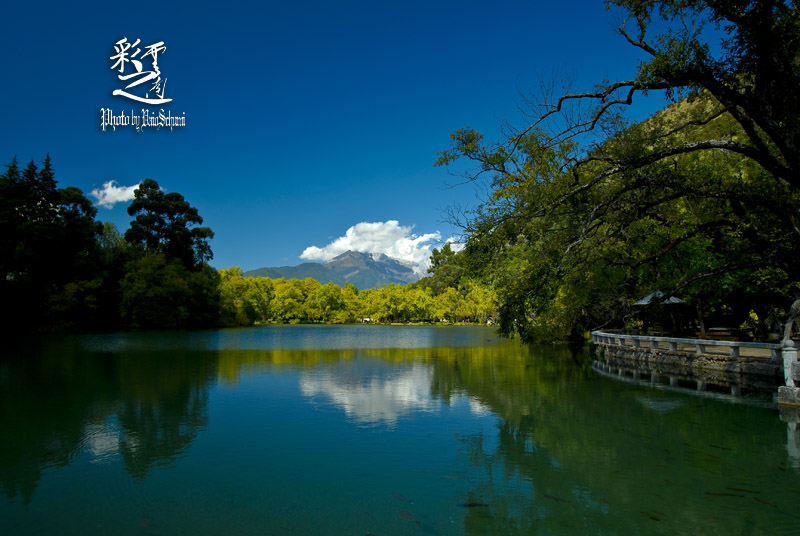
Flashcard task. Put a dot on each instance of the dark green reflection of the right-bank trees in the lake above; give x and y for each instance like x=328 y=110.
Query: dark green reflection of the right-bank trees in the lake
x=574 y=453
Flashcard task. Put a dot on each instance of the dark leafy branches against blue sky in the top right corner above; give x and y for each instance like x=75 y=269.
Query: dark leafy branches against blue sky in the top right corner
x=755 y=76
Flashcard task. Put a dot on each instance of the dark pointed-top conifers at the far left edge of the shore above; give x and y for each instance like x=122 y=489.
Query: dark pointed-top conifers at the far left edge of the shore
x=48 y=248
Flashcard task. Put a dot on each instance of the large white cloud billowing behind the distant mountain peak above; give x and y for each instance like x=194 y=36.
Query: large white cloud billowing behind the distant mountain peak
x=390 y=238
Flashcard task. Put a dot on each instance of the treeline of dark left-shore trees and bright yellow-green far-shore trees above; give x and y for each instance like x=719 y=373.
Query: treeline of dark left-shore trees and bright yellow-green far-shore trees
x=64 y=270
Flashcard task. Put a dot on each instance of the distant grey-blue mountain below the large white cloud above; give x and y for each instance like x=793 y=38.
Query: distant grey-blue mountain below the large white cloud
x=361 y=269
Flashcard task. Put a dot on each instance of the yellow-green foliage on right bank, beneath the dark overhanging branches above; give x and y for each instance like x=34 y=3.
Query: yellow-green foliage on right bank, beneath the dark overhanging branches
x=566 y=261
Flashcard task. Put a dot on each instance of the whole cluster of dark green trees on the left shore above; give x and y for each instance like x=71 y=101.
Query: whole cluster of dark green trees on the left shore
x=62 y=269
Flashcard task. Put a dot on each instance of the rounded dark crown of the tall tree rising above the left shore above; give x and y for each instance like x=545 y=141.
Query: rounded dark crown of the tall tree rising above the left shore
x=166 y=223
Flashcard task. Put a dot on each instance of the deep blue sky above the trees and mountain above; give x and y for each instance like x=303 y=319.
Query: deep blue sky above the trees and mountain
x=303 y=119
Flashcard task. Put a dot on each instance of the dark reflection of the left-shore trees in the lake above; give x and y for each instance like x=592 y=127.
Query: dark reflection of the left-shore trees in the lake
x=52 y=399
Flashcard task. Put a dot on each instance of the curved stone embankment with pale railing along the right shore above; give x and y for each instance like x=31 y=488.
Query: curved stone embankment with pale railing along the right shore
x=737 y=364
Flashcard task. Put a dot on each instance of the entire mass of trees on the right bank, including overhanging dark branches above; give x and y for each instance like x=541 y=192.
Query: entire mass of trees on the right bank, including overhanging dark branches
x=577 y=225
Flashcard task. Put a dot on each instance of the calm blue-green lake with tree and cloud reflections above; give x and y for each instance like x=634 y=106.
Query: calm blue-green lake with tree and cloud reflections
x=384 y=430
